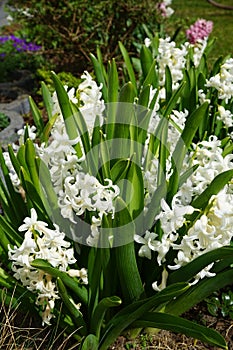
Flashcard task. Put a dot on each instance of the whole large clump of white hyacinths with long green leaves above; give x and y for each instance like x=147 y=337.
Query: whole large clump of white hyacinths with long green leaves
x=117 y=212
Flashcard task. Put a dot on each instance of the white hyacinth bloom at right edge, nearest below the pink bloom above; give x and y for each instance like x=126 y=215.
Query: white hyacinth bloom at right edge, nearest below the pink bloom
x=223 y=81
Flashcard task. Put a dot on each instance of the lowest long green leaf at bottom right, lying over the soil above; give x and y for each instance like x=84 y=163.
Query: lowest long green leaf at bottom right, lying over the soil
x=180 y=325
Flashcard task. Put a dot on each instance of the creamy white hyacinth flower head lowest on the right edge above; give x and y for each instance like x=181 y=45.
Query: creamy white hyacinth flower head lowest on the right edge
x=212 y=230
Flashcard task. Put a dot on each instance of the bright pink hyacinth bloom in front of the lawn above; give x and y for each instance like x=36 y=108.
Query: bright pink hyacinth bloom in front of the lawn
x=199 y=30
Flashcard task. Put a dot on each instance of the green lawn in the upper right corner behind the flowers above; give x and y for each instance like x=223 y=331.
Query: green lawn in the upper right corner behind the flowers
x=188 y=11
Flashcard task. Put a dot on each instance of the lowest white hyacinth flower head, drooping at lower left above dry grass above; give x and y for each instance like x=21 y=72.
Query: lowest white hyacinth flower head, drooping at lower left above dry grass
x=40 y=242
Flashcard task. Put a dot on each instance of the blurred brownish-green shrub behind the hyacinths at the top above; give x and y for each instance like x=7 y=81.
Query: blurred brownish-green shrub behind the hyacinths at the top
x=69 y=30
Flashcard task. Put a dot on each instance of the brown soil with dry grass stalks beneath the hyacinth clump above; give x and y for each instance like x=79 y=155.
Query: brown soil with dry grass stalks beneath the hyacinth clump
x=27 y=333
